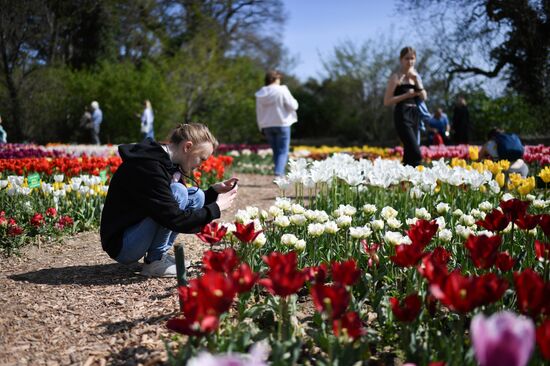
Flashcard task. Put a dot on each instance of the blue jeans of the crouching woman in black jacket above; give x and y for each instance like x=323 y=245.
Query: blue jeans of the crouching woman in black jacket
x=150 y=239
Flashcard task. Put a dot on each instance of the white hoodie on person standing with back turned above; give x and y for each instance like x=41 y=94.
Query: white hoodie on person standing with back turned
x=275 y=106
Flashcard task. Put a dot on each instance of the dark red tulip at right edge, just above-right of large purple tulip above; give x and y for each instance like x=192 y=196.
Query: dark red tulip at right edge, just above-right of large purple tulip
x=533 y=294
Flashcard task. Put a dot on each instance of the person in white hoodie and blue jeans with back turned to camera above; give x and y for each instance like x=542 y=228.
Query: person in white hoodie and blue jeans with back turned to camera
x=276 y=112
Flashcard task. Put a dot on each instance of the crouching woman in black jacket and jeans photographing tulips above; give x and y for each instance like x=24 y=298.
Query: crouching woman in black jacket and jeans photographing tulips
x=148 y=204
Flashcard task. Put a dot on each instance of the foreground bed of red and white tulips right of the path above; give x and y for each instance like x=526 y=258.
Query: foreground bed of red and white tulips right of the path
x=436 y=265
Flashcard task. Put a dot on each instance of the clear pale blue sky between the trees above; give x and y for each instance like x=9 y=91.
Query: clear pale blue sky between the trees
x=314 y=27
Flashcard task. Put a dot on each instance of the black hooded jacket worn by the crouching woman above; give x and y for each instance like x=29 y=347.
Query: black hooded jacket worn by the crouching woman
x=140 y=188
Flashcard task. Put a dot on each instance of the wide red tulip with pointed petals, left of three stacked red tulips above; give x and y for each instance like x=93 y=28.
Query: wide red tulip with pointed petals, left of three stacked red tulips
x=283 y=277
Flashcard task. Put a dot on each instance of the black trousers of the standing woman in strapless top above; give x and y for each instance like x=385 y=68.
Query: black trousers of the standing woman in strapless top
x=406 y=119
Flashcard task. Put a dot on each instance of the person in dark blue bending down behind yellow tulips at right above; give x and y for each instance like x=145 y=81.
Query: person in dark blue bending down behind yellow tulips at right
x=505 y=146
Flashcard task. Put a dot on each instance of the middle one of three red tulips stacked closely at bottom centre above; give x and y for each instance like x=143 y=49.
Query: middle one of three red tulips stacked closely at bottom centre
x=330 y=298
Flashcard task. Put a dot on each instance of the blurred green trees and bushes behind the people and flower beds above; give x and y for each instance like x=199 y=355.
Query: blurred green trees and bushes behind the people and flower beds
x=193 y=64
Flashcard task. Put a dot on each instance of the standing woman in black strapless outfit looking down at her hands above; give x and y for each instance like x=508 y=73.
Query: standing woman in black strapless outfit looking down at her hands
x=403 y=87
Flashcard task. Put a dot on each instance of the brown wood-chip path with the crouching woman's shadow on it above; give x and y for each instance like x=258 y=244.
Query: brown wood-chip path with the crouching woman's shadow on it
x=69 y=303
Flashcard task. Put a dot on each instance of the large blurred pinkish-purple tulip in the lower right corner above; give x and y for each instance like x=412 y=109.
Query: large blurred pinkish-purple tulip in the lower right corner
x=503 y=339
